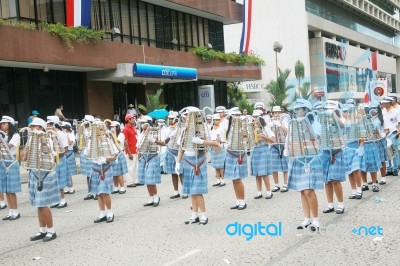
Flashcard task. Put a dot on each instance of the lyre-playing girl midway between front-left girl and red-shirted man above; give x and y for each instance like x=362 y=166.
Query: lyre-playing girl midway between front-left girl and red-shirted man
x=101 y=173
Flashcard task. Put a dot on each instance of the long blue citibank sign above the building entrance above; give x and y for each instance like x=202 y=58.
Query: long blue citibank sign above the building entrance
x=167 y=72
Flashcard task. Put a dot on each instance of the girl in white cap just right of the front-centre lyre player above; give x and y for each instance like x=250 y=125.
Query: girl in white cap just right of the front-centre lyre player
x=217 y=133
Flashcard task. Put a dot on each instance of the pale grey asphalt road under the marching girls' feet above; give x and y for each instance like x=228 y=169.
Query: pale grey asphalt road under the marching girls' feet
x=158 y=236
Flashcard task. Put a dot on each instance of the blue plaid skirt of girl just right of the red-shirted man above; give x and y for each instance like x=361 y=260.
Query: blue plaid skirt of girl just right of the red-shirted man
x=149 y=169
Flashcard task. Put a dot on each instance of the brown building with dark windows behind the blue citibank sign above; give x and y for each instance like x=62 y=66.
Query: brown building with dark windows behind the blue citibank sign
x=38 y=71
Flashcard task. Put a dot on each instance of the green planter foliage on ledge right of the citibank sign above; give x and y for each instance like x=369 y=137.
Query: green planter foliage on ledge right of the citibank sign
x=240 y=59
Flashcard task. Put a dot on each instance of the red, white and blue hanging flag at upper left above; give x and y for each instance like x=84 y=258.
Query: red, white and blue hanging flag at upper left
x=78 y=13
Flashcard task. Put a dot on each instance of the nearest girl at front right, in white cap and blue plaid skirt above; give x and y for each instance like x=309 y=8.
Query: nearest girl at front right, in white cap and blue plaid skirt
x=306 y=176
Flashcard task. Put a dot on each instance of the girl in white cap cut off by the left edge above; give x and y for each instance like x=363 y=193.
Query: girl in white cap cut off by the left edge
x=10 y=182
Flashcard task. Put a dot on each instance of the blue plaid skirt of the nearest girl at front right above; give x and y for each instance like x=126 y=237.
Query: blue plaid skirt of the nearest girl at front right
x=300 y=180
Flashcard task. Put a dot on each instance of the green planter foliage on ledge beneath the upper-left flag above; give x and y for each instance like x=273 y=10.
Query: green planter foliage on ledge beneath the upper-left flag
x=73 y=34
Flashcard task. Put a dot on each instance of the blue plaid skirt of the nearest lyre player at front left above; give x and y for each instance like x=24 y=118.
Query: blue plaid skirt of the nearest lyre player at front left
x=50 y=193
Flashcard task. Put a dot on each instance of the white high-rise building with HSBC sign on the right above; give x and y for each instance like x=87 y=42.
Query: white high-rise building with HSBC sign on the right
x=343 y=44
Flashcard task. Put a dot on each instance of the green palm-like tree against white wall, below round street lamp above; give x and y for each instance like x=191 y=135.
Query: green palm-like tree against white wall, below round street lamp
x=278 y=88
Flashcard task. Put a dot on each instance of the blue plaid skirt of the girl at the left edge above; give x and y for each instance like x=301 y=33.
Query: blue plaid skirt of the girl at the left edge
x=10 y=181
